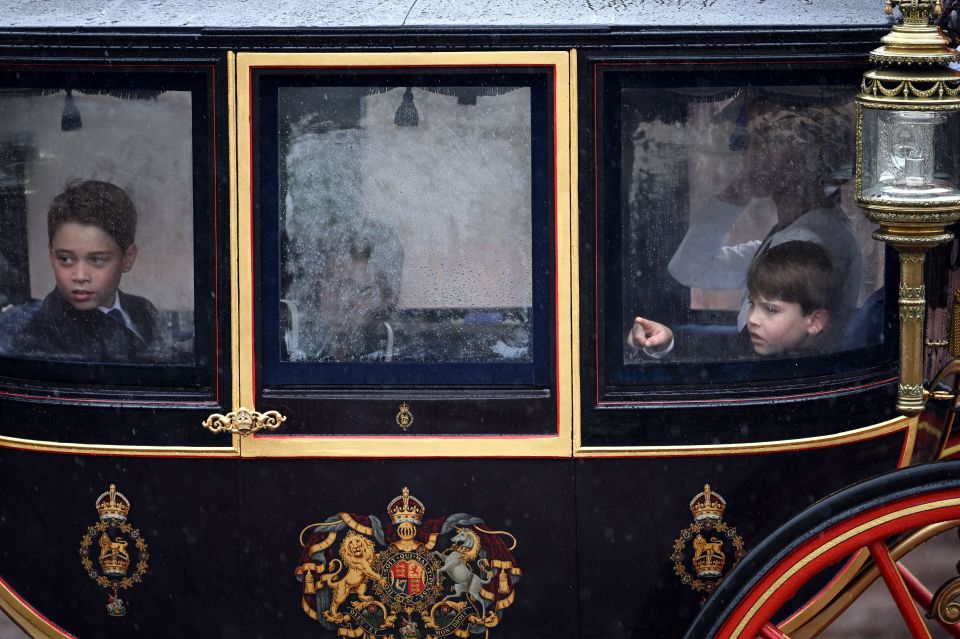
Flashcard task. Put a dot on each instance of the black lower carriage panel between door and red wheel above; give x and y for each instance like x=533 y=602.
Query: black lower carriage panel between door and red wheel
x=647 y=505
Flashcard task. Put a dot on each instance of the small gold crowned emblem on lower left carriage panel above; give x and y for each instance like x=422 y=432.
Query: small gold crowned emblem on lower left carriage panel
x=117 y=546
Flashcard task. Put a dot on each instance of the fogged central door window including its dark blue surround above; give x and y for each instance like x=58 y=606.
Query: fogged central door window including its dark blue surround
x=413 y=216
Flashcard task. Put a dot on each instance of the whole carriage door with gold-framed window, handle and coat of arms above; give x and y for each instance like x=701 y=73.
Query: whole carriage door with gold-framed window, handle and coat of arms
x=404 y=335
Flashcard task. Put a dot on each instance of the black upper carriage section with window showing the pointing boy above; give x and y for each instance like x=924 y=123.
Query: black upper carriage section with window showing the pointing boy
x=729 y=266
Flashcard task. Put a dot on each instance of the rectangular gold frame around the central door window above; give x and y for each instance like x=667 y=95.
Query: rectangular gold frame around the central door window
x=555 y=444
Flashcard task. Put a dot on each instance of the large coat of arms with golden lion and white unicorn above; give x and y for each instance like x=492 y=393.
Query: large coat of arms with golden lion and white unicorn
x=417 y=578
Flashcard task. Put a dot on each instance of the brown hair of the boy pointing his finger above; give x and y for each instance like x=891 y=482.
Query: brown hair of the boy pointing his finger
x=799 y=272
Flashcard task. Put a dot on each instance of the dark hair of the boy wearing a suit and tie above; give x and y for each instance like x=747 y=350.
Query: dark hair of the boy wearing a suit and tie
x=99 y=204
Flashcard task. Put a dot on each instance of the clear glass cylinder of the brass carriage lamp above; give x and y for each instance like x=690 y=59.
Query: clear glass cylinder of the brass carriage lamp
x=910 y=156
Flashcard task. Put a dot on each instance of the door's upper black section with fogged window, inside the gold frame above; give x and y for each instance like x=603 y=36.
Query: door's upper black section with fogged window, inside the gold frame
x=405 y=224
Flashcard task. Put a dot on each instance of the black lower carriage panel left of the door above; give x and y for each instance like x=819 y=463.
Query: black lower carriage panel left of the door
x=175 y=542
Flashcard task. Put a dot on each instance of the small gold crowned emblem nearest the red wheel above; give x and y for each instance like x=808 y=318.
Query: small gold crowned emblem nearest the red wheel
x=715 y=545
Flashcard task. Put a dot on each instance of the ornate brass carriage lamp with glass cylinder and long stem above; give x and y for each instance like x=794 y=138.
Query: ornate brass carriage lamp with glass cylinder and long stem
x=908 y=164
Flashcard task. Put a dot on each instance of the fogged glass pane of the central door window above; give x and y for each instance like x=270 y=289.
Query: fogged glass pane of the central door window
x=405 y=224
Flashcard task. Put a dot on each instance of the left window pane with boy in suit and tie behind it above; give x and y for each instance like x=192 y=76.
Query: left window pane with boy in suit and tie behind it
x=139 y=143
